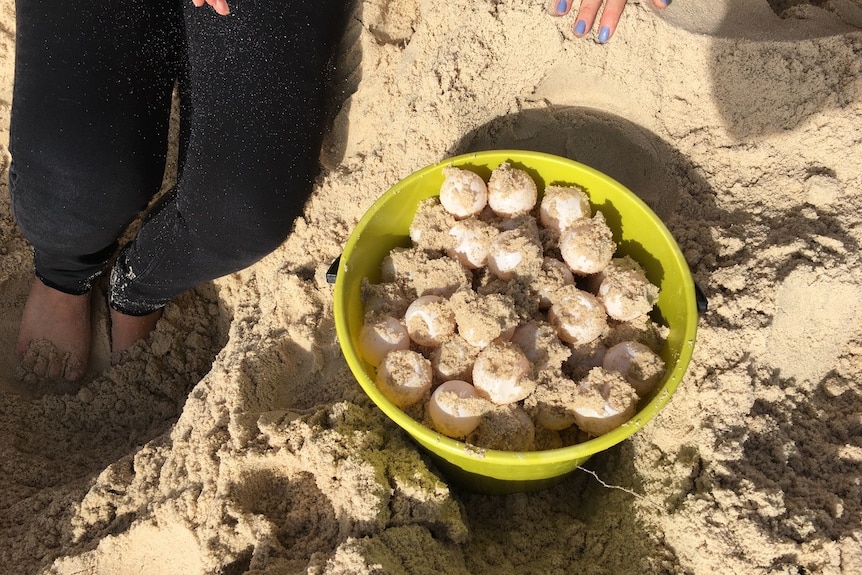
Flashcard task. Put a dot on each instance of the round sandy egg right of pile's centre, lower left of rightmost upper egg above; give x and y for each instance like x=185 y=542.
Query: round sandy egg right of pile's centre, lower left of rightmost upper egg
x=578 y=316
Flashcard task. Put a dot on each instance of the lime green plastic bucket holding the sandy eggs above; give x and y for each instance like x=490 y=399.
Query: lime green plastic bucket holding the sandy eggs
x=639 y=234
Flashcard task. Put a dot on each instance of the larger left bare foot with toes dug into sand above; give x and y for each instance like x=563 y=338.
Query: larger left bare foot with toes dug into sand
x=54 y=338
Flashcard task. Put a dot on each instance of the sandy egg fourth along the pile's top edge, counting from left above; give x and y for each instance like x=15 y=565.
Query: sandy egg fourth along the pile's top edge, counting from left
x=588 y=246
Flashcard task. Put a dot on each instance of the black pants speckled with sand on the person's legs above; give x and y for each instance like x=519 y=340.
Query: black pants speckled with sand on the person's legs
x=89 y=130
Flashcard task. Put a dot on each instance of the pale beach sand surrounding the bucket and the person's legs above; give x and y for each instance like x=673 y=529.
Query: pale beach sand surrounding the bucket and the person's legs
x=236 y=440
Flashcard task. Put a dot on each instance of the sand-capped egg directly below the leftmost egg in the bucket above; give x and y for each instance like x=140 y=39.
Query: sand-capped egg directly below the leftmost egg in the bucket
x=404 y=377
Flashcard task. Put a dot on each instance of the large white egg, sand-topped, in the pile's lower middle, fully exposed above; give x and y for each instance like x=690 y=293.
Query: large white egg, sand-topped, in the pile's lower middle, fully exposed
x=499 y=374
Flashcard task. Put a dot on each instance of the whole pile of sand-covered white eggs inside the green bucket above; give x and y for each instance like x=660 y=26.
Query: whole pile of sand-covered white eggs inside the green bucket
x=510 y=308
